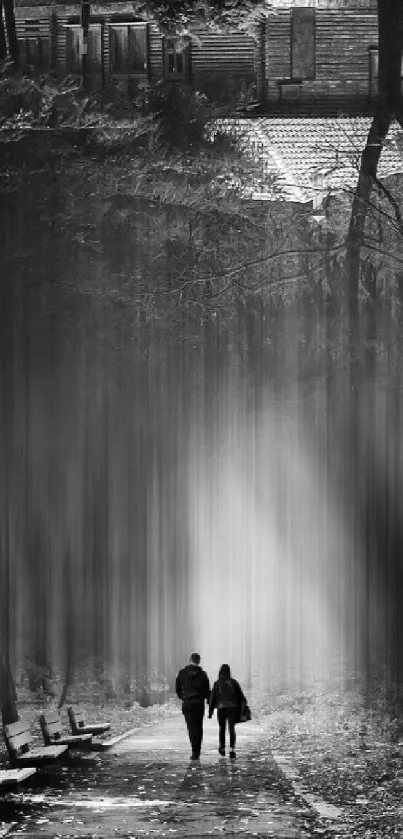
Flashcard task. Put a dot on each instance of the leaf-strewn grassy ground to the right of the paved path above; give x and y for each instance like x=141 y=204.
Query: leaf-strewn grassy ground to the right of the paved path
x=346 y=749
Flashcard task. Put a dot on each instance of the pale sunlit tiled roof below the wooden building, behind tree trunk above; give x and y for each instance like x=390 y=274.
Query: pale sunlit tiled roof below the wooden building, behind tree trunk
x=310 y=156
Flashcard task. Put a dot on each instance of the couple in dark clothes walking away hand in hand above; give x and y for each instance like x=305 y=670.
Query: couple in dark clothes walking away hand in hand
x=193 y=688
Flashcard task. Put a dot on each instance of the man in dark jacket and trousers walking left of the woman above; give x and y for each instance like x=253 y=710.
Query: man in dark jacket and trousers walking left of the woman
x=193 y=688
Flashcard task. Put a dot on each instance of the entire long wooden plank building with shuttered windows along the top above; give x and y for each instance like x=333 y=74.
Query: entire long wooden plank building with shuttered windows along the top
x=317 y=53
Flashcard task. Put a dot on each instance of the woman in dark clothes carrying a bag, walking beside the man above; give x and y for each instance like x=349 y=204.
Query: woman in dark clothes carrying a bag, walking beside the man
x=228 y=698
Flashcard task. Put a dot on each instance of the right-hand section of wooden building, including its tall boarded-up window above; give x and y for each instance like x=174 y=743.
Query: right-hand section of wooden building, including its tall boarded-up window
x=324 y=51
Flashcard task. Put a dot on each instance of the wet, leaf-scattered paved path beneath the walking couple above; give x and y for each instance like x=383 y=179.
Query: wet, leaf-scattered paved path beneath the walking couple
x=146 y=786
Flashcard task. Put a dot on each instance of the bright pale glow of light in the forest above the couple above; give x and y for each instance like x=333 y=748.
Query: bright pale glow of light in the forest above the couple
x=270 y=552
